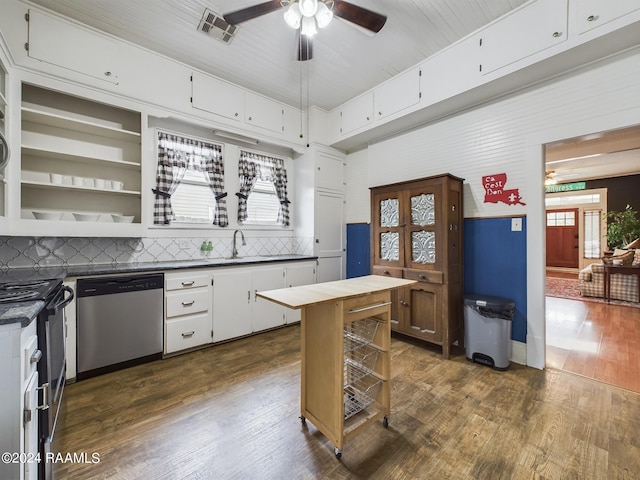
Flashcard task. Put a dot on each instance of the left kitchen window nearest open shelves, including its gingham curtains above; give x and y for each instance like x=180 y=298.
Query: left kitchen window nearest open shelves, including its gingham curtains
x=189 y=182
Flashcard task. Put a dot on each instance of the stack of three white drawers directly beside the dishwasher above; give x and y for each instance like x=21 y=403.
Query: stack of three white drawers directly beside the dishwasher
x=188 y=321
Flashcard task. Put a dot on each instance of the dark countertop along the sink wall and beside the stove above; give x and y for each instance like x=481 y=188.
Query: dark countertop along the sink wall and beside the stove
x=25 y=312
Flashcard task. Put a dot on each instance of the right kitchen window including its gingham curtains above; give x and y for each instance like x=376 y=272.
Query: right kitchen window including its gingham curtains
x=262 y=199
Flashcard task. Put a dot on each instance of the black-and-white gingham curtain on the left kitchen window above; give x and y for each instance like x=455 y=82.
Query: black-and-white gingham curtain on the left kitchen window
x=175 y=155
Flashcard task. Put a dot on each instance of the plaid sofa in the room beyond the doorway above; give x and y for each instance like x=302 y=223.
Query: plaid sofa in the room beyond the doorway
x=623 y=287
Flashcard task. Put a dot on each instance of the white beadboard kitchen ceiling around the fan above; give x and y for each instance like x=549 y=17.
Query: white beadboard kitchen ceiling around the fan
x=261 y=56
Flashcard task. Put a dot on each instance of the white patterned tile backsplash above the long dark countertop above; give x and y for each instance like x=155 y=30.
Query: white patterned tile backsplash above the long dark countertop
x=36 y=252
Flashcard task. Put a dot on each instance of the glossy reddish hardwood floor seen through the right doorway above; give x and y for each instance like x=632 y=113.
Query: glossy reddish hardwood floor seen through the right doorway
x=596 y=340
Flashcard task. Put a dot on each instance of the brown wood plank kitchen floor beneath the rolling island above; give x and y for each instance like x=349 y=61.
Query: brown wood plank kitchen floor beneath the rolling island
x=231 y=412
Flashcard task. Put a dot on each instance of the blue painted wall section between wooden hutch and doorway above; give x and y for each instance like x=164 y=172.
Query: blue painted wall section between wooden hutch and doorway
x=495 y=263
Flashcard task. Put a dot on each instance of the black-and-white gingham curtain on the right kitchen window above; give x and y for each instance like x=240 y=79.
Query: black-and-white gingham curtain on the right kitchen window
x=252 y=166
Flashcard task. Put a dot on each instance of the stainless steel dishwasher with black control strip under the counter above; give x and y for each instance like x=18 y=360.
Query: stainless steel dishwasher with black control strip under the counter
x=119 y=322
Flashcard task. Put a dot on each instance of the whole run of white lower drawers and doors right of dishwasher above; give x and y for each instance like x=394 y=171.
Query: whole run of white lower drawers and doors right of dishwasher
x=205 y=306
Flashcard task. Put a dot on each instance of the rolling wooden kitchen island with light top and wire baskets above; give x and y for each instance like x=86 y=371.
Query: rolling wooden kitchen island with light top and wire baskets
x=345 y=352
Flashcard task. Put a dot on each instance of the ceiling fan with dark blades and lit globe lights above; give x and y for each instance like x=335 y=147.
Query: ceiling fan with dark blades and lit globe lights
x=307 y=15
